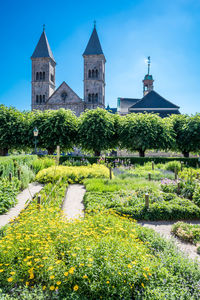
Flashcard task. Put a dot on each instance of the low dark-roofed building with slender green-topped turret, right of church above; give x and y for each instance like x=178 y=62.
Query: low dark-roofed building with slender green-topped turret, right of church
x=151 y=102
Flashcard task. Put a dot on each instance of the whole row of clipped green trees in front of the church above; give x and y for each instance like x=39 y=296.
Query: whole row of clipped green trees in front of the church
x=98 y=130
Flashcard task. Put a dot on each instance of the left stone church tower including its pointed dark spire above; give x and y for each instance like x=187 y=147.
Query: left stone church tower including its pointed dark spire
x=43 y=73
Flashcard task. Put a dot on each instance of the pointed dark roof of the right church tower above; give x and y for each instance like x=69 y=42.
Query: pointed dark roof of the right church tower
x=93 y=46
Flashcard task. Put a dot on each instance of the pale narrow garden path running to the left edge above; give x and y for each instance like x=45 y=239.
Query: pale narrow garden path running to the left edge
x=22 y=199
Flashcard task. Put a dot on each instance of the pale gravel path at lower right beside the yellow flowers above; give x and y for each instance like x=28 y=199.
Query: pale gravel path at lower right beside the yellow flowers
x=164 y=229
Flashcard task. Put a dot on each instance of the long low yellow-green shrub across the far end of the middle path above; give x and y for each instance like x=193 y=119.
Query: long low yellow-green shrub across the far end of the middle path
x=72 y=174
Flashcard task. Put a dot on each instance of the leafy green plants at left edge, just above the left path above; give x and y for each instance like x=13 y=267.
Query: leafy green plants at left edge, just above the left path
x=8 y=194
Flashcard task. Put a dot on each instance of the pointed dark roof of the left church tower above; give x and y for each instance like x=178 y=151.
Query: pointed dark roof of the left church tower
x=43 y=49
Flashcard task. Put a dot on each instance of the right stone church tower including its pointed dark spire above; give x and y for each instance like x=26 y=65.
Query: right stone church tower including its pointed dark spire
x=94 y=73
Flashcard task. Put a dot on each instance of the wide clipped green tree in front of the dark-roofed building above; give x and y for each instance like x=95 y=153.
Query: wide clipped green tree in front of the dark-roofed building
x=140 y=132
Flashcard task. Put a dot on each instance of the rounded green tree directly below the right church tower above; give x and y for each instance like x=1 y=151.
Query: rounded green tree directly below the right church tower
x=97 y=130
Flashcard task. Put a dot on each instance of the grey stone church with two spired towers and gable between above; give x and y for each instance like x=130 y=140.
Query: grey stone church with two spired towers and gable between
x=44 y=92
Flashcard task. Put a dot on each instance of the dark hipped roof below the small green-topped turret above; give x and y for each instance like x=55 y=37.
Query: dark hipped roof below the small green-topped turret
x=153 y=100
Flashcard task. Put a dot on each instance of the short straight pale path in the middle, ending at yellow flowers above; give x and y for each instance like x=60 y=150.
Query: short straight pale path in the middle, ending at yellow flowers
x=73 y=207
